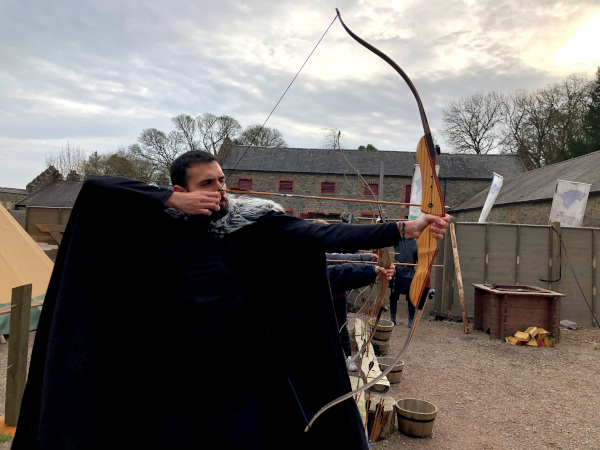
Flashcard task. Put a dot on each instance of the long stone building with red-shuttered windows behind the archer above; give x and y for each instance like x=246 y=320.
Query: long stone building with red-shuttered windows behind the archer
x=329 y=173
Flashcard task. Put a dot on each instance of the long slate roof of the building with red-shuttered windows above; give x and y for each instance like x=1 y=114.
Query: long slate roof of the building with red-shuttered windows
x=395 y=163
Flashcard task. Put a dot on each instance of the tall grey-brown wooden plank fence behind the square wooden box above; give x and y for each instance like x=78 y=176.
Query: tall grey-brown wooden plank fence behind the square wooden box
x=562 y=260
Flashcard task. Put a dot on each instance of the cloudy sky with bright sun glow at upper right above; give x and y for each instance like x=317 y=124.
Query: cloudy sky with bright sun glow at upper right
x=93 y=74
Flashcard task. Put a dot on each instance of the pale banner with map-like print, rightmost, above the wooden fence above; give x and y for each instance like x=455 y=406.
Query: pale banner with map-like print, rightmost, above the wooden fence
x=568 y=205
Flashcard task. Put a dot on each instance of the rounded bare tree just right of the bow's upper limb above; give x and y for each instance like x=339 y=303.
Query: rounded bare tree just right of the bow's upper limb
x=473 y=124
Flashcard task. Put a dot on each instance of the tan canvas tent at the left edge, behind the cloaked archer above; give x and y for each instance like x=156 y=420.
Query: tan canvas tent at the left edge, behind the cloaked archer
x=22 y=261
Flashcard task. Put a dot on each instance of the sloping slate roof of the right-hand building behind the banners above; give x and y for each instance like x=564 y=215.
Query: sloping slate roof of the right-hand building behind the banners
x=539 y=184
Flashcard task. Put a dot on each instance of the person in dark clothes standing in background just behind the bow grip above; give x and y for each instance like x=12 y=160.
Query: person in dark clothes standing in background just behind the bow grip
x=406 y=252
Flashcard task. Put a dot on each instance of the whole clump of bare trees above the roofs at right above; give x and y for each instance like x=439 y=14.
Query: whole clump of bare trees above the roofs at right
x=542 y=127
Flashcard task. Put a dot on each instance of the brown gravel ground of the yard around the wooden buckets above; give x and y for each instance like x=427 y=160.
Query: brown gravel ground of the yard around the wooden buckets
x=489 y=394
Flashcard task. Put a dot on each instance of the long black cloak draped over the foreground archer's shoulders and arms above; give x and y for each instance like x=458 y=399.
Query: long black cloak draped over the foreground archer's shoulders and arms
x=93 y=378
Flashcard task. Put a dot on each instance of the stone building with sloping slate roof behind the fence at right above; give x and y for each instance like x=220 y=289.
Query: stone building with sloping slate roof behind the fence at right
x=526 y=198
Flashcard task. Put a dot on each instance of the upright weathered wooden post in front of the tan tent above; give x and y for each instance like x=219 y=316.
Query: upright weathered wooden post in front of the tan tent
x=16 y=373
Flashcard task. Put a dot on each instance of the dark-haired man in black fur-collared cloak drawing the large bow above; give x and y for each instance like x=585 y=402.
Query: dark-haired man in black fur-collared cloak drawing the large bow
x=137 y=261
